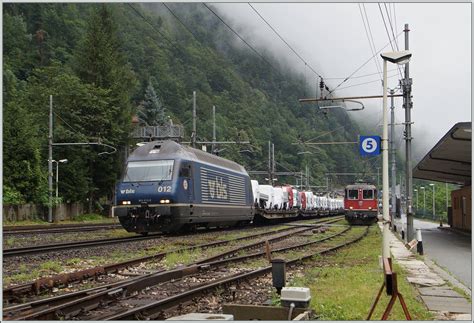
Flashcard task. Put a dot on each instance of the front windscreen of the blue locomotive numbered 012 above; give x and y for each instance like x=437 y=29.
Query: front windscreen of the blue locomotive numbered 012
x=142 y=171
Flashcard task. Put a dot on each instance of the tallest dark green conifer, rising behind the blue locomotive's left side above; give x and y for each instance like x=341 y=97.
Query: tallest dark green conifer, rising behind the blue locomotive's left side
x=100 y=62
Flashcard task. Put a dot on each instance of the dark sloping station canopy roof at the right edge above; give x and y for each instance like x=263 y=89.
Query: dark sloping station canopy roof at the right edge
x=450 y=159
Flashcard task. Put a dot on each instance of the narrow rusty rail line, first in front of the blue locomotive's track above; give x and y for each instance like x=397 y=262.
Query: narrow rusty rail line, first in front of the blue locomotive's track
x=48 y=283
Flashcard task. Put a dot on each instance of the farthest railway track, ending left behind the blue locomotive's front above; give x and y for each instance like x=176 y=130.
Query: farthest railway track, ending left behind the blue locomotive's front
x=58 y=228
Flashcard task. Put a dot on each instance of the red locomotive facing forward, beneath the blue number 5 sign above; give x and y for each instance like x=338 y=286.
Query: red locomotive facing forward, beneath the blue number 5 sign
x=360 y=203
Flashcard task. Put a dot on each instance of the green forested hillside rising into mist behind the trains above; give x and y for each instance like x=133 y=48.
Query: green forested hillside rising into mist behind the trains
x=97 y=61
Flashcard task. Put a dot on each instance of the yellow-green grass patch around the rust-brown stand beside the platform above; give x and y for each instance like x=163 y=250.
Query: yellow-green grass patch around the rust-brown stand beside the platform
x=344 y=285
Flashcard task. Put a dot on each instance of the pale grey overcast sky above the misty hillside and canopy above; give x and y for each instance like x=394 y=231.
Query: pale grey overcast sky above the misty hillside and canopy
x=332 y=39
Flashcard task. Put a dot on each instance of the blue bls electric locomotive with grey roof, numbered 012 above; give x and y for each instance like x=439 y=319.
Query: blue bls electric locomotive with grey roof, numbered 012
x=167 y=187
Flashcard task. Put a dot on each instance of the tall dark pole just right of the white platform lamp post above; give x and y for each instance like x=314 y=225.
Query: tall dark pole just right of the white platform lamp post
x=408 y=105
